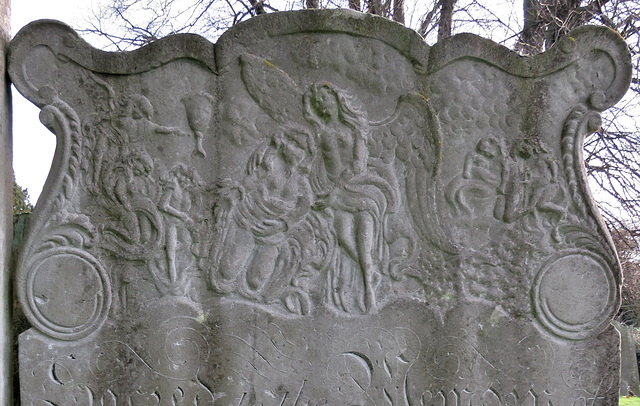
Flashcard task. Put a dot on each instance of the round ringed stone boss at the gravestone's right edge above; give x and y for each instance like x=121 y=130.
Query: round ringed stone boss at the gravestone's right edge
x=574 y=294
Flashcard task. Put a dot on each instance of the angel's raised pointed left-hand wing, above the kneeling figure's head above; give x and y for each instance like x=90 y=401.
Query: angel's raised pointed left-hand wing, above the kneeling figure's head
x=274 y=91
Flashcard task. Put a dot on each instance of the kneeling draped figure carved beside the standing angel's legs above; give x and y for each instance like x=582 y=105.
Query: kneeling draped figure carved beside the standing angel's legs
x=265 y=238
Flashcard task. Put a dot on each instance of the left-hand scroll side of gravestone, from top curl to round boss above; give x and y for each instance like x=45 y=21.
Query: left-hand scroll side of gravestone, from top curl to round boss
x=63 y=288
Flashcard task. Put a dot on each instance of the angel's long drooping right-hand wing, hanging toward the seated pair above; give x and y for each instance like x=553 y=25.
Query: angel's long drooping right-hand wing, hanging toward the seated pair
x=410 y=139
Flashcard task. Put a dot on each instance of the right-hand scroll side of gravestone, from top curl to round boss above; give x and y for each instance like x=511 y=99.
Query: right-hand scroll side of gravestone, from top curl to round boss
x=607 y=69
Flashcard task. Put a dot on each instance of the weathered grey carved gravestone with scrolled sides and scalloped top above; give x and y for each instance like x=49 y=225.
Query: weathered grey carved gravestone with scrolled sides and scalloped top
x=319 y=209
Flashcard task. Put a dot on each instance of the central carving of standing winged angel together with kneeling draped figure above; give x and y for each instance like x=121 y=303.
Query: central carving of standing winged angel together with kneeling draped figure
x=363 y=190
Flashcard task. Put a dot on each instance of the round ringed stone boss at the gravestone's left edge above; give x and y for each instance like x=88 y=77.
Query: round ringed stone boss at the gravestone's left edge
x=67 y=292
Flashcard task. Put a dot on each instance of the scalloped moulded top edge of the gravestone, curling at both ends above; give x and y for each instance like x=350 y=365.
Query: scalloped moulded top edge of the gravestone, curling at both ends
x=64 y=41
